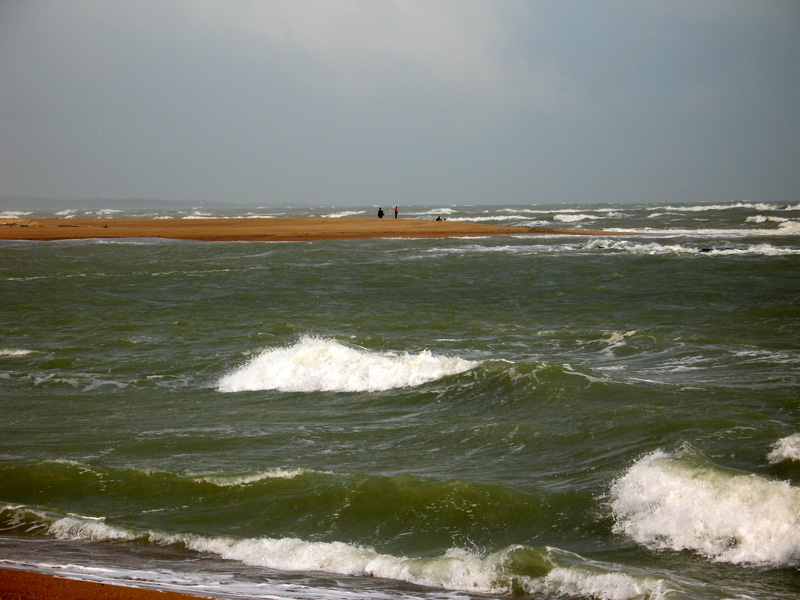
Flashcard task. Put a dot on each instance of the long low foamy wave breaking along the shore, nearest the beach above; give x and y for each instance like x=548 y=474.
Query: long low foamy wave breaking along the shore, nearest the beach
x=515 y=569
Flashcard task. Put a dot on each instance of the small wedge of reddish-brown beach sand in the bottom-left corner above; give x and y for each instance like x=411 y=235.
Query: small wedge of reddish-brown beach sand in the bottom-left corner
x=28 y=585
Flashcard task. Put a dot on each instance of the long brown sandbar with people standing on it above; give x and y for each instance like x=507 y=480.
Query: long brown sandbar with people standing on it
x=259 y=229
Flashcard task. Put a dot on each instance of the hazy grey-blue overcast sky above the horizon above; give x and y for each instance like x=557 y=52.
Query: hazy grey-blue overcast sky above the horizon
x=401 y=102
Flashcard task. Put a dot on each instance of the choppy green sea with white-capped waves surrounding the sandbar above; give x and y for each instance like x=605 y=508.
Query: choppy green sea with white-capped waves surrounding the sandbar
x=605 y=417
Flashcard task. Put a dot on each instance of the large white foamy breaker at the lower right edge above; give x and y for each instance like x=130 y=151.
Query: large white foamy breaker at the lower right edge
x=683 y=501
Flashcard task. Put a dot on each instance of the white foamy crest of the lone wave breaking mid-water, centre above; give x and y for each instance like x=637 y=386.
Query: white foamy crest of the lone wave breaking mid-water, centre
x=315 y=364
